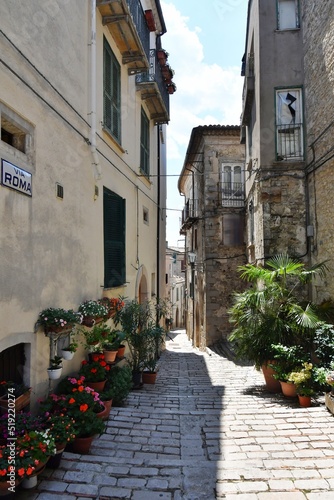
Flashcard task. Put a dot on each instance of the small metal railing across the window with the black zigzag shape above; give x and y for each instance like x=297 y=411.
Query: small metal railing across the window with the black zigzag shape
x=289 y=141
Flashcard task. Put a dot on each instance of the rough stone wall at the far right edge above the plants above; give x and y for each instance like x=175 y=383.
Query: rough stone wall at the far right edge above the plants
x=318 y=42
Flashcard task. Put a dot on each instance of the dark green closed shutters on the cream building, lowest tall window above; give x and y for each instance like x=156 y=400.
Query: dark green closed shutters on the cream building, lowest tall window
x=114 y=239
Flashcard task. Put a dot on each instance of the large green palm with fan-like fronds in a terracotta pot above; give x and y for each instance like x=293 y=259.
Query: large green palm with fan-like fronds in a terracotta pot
x=273 y=309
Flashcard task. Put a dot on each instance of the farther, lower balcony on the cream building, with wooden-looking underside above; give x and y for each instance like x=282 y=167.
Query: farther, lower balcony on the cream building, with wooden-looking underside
x=153 y=90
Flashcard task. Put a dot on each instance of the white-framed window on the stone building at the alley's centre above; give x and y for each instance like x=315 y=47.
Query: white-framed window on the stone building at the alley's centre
x=232 y=185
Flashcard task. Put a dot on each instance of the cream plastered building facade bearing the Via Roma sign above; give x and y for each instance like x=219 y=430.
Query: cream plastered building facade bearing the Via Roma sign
x=83 y=112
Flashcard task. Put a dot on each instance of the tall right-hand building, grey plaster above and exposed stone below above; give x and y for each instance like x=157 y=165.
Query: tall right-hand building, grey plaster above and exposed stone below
x=273 y=131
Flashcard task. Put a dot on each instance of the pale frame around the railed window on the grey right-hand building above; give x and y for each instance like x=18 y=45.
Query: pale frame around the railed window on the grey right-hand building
x=297 y=123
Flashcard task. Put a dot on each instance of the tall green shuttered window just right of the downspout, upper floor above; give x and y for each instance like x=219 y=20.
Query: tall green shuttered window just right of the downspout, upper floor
x=111 y=93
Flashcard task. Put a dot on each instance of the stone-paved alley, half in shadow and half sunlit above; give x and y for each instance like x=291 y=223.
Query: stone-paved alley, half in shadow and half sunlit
x=206 y=430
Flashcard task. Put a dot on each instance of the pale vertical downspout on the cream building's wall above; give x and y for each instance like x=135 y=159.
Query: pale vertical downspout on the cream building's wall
x=92 y=138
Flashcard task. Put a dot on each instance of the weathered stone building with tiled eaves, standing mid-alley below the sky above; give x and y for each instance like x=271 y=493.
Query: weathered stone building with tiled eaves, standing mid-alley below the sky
x=212 y=181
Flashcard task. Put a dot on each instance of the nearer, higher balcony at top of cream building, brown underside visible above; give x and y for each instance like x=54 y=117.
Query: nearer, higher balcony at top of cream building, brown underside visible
x=127 y=24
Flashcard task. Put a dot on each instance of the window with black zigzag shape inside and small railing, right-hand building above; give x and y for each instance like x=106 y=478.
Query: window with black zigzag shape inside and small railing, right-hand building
x=289 y=124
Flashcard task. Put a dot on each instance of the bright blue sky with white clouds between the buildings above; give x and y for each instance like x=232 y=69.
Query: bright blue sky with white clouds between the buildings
x=205 y=42
